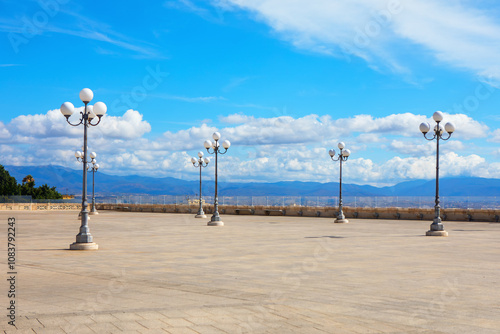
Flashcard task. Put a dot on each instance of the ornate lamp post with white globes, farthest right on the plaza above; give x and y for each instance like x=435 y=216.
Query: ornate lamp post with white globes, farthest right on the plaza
x=437 y=228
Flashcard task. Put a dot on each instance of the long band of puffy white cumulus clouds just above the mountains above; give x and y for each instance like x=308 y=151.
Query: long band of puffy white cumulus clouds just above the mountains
x=385 y=150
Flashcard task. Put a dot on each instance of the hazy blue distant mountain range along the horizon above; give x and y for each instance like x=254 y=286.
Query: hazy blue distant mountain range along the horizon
x=69 y=181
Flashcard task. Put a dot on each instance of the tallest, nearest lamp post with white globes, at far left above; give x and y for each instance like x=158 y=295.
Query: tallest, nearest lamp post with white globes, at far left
x=84 y=240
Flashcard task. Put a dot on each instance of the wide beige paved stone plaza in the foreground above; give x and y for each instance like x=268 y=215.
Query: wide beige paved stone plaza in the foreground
x=170 y=273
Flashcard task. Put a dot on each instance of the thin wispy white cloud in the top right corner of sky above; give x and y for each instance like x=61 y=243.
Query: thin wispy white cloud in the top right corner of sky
x=456 y=33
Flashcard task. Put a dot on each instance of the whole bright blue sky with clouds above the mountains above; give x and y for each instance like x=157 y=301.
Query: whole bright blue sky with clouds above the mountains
x=283 y=80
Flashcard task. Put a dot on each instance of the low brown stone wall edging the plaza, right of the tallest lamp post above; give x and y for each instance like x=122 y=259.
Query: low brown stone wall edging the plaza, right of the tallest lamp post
x=327 y=212
